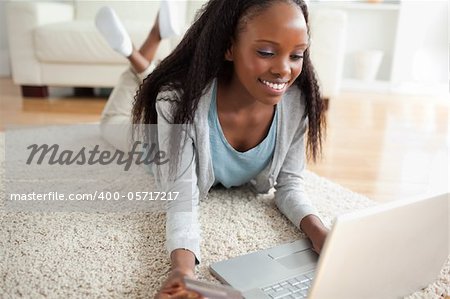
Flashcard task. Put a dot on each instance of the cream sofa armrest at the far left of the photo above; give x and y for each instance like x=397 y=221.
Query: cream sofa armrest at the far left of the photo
x=22 y=19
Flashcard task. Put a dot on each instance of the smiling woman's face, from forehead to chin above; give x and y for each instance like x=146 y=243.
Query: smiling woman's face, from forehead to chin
x=268 y=53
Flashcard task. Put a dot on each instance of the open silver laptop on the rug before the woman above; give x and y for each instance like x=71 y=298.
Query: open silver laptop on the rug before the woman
x=387 y=251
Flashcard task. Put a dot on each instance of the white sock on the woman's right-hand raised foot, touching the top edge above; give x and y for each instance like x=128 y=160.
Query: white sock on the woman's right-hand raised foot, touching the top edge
x=171 y=18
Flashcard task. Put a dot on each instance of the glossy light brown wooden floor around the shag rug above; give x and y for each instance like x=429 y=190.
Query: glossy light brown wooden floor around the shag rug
x=386 y=147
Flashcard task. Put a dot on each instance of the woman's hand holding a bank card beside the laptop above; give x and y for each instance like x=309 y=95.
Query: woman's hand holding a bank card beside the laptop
x=174 y=287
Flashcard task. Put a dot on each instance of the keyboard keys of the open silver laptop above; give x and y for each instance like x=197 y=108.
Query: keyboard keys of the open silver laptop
x=292 y=288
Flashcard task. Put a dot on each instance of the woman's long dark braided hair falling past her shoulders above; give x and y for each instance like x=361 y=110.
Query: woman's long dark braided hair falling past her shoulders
x=200 y=57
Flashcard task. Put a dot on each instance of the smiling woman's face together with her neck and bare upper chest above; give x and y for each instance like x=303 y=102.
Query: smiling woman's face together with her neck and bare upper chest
x=267 y=57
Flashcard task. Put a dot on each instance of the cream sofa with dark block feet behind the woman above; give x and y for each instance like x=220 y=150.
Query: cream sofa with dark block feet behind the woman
x=57 y=44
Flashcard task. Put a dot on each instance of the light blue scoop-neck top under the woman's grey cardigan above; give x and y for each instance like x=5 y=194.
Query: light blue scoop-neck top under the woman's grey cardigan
x=231 y=167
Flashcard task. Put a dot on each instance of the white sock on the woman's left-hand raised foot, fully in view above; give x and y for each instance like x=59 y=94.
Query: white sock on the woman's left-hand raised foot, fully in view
x=110 y=26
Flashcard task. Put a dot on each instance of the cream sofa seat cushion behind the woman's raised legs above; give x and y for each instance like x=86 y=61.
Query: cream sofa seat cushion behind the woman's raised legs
x=79 y=42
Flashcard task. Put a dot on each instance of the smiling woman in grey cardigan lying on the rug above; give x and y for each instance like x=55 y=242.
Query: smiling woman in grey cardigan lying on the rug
x=242 y=86
